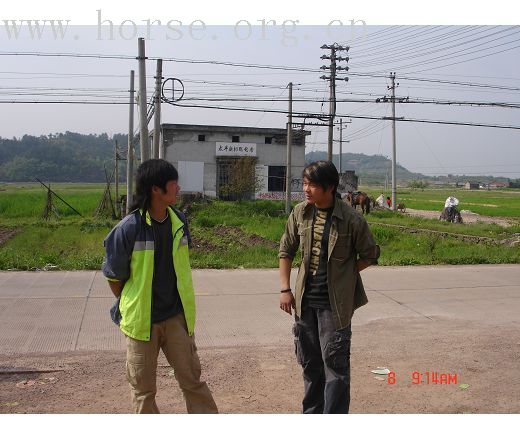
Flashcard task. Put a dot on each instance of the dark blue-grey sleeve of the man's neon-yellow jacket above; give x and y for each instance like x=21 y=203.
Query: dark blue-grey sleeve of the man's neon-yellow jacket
x=118 y=251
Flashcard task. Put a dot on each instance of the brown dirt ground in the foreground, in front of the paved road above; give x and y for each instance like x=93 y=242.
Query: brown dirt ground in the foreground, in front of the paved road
x=268 y=380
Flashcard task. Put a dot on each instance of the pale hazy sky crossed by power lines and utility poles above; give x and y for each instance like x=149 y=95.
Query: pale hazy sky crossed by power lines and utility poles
x=433 y=53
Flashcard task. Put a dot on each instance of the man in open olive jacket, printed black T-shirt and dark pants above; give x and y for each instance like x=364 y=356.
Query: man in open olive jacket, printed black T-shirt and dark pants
x=336 y=245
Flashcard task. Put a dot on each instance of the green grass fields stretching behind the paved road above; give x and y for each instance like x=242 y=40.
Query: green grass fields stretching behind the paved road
x=243 y=234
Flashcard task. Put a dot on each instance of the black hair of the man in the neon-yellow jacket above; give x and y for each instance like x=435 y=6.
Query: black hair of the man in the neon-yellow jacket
x=153 y=172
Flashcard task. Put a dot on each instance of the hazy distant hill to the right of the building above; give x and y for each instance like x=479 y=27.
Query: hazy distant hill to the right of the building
x=371 y=169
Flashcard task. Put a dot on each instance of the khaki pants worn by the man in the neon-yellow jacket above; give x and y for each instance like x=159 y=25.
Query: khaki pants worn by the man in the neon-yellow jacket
x=180 y=350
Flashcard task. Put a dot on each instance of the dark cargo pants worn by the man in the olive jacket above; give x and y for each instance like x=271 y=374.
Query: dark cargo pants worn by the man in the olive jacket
x=324 y=355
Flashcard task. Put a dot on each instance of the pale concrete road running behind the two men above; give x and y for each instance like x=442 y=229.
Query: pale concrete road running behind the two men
x=47 y=312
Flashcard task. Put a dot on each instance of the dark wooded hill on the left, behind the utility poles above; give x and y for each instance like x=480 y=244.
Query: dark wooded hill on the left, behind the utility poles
x=60 y=157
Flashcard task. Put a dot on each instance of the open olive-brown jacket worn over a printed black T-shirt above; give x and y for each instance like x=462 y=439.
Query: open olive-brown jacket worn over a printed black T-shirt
x=349 y=239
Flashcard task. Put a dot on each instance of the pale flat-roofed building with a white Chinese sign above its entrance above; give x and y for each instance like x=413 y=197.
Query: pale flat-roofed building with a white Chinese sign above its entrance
x=203 y=155
